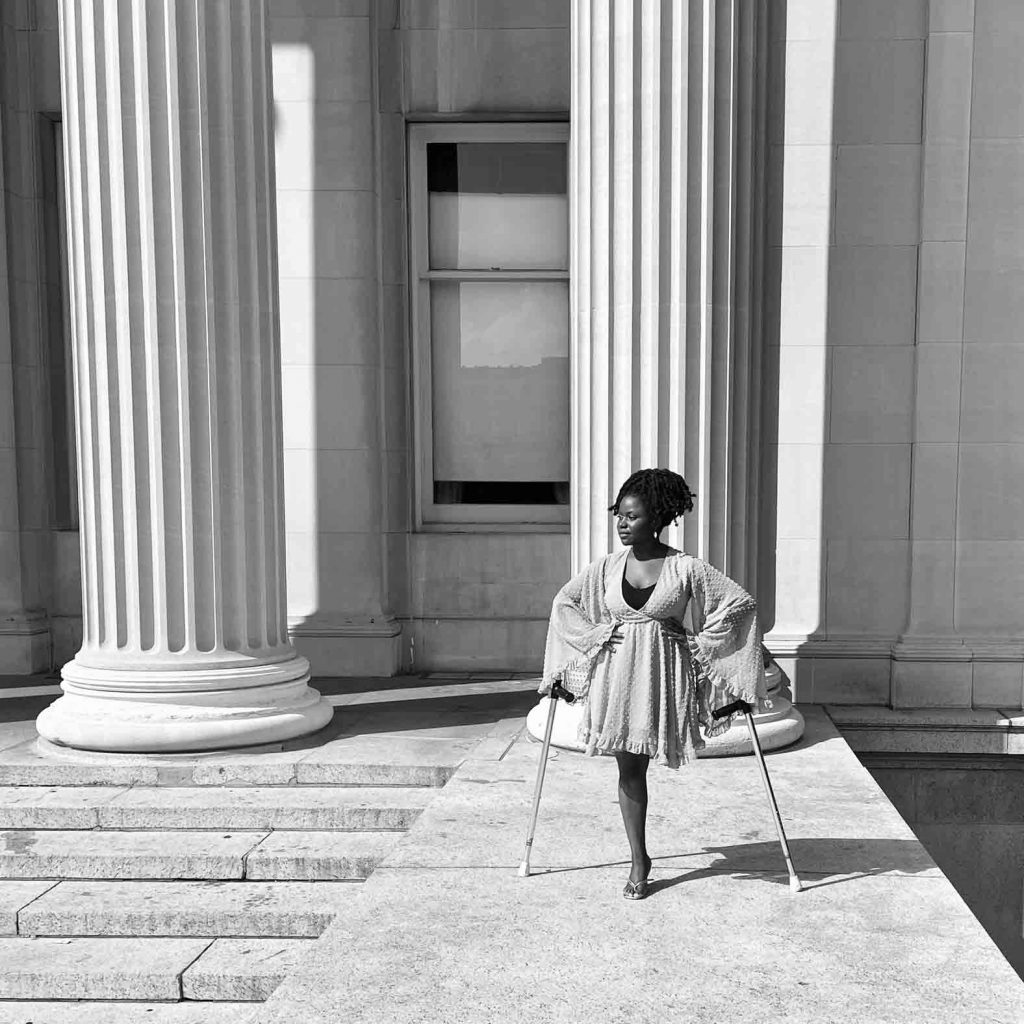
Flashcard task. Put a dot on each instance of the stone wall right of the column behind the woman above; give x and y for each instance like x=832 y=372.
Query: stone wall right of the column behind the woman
x=898 y=567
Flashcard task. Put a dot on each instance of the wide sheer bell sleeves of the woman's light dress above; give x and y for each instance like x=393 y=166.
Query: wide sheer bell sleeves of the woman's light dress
x=723 y=639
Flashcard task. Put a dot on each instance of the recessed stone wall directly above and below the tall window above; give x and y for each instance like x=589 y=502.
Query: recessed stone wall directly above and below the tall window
x=482 y=600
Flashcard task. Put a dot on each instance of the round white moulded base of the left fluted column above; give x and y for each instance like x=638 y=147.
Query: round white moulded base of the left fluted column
x=167 y=711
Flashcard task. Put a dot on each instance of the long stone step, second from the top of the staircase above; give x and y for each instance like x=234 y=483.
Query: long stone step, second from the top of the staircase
x=321 y=808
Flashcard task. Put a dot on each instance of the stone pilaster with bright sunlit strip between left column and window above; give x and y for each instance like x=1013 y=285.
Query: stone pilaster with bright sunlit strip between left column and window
x=339 y=144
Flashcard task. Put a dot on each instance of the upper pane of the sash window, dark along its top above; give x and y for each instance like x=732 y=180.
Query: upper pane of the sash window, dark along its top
x=498 y=206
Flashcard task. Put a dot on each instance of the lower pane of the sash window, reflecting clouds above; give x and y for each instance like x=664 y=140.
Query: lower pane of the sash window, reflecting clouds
x=500 y=368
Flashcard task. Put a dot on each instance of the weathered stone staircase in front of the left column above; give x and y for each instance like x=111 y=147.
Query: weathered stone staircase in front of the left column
x=174 y=884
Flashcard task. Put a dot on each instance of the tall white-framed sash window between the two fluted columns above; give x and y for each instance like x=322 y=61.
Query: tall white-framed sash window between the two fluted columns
x=490 y=276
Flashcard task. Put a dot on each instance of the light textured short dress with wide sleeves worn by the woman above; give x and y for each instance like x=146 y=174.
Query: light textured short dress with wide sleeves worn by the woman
x=694 y=647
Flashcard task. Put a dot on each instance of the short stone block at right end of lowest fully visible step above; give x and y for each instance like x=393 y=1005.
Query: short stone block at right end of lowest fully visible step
x=244 y=969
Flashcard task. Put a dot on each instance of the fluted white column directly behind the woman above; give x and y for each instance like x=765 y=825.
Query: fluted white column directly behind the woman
x=666 y=271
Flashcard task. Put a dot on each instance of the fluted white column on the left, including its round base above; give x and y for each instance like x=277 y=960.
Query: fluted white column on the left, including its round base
x=175 y=313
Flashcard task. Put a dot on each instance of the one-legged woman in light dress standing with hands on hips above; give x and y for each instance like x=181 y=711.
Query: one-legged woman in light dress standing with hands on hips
x=654 y=641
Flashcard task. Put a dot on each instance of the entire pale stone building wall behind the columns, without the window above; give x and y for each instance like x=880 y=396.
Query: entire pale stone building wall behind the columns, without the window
x=891 y=541
